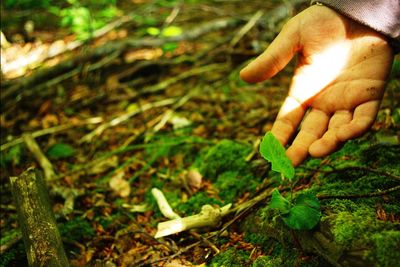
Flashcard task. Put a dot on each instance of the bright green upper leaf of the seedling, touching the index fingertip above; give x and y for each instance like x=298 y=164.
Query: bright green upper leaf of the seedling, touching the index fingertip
x=272 y=150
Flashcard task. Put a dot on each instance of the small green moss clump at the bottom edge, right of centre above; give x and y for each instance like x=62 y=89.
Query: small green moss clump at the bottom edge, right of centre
x=230 y=258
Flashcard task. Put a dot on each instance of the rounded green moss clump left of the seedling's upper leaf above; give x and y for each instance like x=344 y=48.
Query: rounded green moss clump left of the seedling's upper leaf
x=226 y=156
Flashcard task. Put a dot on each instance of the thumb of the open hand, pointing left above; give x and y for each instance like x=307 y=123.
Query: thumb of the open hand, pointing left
x=275 y=57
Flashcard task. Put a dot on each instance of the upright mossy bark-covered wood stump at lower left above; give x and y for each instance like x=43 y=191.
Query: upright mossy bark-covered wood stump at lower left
x=36 y=219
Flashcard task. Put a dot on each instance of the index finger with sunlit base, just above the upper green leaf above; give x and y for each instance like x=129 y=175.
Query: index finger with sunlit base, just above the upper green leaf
x=288 y=119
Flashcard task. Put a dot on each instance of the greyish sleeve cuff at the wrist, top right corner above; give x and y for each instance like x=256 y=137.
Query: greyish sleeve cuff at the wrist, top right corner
x=380 y=15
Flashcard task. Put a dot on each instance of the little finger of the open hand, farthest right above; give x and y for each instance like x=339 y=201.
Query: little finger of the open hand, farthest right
x=363 y=118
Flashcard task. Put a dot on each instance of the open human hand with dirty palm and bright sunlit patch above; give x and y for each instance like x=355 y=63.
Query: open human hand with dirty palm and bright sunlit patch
x=338 y=83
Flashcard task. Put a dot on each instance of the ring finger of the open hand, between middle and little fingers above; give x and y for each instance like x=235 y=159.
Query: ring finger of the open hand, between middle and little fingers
x=329 y=142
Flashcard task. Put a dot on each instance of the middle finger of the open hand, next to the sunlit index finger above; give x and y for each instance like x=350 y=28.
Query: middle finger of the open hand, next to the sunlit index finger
x=313 y=127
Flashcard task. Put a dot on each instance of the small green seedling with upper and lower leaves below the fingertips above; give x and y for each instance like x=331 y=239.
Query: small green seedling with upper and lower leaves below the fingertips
x=302 y=213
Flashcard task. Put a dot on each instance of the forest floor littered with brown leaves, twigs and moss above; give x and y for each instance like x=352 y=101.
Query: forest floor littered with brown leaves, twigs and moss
x=136 y=109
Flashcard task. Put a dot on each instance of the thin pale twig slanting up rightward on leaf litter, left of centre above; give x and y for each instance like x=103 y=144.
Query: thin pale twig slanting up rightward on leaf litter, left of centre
x=99 y=130
